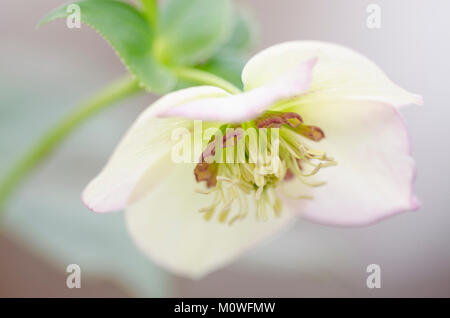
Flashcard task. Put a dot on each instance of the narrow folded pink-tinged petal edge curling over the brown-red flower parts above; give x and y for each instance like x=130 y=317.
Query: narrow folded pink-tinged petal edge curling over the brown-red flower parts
x=238 y=108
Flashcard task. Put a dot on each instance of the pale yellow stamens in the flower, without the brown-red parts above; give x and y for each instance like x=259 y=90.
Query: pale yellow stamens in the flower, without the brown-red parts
x=243 y=183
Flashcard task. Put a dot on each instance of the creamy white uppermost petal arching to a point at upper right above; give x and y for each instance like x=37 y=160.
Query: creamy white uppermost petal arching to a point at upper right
x=340 y=73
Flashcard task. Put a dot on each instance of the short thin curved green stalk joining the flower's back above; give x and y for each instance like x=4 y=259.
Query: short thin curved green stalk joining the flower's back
x=202 y=77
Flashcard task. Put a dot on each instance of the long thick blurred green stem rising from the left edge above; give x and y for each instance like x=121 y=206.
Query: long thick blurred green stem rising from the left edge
x=43 y=148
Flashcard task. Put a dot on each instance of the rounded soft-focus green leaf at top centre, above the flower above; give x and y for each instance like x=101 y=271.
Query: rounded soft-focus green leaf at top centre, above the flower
x=191 y=31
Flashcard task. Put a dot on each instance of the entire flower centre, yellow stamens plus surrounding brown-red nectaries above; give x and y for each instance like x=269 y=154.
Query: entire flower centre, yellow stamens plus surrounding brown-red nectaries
x=246 y=164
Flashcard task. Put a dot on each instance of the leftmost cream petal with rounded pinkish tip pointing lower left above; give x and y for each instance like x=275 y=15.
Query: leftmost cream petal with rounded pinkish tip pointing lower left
x=144 y=149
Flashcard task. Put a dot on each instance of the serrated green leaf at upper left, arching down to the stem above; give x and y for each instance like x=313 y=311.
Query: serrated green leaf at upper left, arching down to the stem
x=129 y=33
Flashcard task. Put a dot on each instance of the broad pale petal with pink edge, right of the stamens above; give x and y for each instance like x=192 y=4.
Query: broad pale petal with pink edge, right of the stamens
x=375 y=172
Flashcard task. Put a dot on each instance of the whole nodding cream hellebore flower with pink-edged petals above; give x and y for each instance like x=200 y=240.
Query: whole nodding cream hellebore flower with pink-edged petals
x=344 y=158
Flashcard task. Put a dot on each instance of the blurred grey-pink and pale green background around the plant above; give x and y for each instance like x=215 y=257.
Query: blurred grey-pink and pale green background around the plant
x=44 y=72
